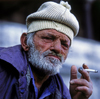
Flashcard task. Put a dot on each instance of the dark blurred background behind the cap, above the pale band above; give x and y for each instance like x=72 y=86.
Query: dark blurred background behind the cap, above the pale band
x=86 y=11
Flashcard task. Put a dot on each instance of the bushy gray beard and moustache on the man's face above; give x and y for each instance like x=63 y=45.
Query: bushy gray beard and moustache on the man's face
x=43 y=62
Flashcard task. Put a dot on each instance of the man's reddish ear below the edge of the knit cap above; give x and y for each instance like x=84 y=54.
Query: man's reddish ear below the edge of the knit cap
x=23 y=41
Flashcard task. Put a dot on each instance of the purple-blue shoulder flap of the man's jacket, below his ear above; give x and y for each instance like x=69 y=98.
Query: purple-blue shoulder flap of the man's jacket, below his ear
x=15 y=56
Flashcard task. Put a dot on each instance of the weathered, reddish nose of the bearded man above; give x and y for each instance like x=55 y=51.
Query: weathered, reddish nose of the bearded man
x=56 y=46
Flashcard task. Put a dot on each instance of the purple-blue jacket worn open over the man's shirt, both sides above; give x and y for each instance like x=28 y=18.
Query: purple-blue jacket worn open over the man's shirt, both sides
x=13 y=80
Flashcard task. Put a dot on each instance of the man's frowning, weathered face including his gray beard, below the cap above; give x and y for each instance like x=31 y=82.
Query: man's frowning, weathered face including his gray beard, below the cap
x=49 y=50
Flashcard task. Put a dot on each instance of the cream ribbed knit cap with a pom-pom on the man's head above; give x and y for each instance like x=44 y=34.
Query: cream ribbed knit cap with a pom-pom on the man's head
x=56 y=16
